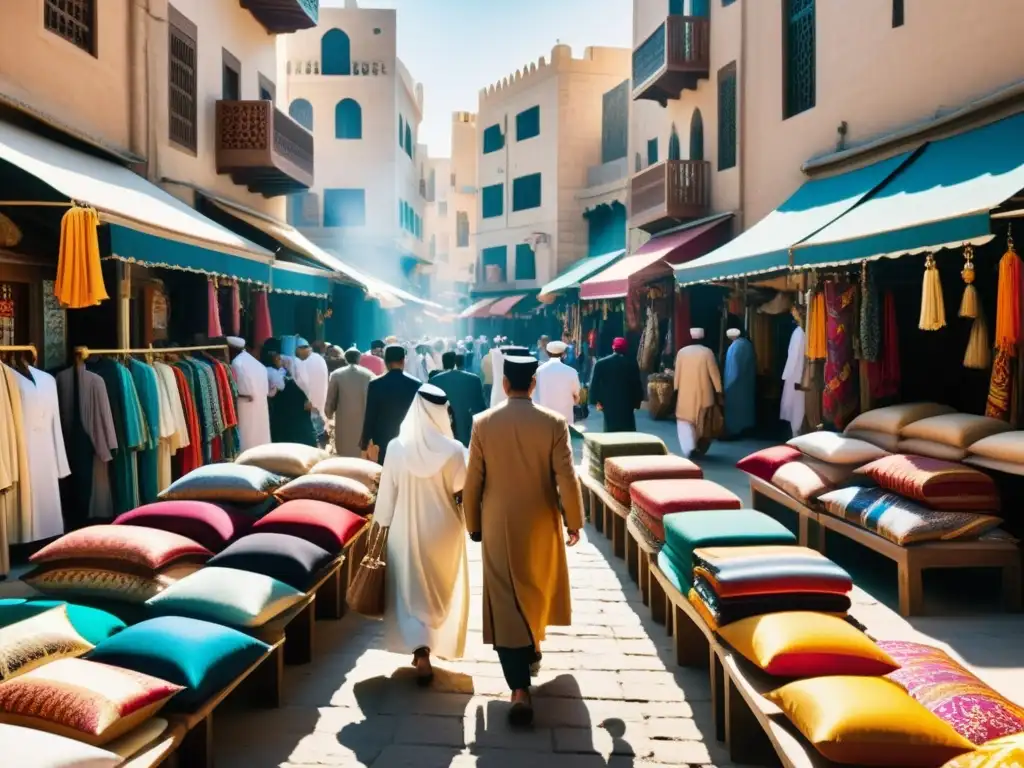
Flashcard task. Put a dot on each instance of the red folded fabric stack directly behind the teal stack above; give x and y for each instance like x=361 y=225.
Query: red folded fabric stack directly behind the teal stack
x=653 y=500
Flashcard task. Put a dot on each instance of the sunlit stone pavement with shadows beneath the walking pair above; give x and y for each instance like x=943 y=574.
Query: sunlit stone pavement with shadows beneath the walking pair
x=610 y=695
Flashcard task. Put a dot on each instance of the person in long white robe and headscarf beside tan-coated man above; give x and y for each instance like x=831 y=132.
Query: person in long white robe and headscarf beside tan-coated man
x=428 y=571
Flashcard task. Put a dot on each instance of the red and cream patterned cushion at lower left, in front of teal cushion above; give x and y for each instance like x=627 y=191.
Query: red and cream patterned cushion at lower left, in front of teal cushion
x=76 y=698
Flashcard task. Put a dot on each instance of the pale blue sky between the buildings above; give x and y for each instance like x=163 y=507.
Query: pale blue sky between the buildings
x=457 y=48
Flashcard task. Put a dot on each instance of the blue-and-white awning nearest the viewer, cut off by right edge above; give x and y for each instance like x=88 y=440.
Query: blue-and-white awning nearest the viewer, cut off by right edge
x=942 y=199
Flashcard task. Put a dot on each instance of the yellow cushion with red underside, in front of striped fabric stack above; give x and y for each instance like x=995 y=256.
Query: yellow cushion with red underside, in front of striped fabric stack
x=805 y=645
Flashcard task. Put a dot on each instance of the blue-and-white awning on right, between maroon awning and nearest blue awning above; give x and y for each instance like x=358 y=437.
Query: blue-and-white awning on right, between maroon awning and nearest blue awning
x=765 y=247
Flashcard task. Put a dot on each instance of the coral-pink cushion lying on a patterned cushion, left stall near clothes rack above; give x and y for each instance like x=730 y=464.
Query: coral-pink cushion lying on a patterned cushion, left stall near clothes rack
x=142 y=550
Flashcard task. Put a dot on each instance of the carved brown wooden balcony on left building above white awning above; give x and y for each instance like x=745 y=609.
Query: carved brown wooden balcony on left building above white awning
x=264 y=149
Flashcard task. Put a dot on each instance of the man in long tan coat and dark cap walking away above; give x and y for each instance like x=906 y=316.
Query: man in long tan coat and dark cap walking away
x=521 y=481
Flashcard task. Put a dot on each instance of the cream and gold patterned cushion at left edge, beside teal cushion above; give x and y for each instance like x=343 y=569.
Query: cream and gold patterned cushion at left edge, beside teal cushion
x=38 y=641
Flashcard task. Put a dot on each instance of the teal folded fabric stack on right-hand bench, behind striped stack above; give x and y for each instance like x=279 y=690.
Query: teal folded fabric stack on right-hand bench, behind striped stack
x=686 y=532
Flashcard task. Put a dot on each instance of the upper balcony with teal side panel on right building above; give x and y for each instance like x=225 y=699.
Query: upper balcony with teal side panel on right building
x=675 y=58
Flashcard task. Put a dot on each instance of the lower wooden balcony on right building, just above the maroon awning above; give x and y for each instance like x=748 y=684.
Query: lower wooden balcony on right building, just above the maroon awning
x=670 y=192
